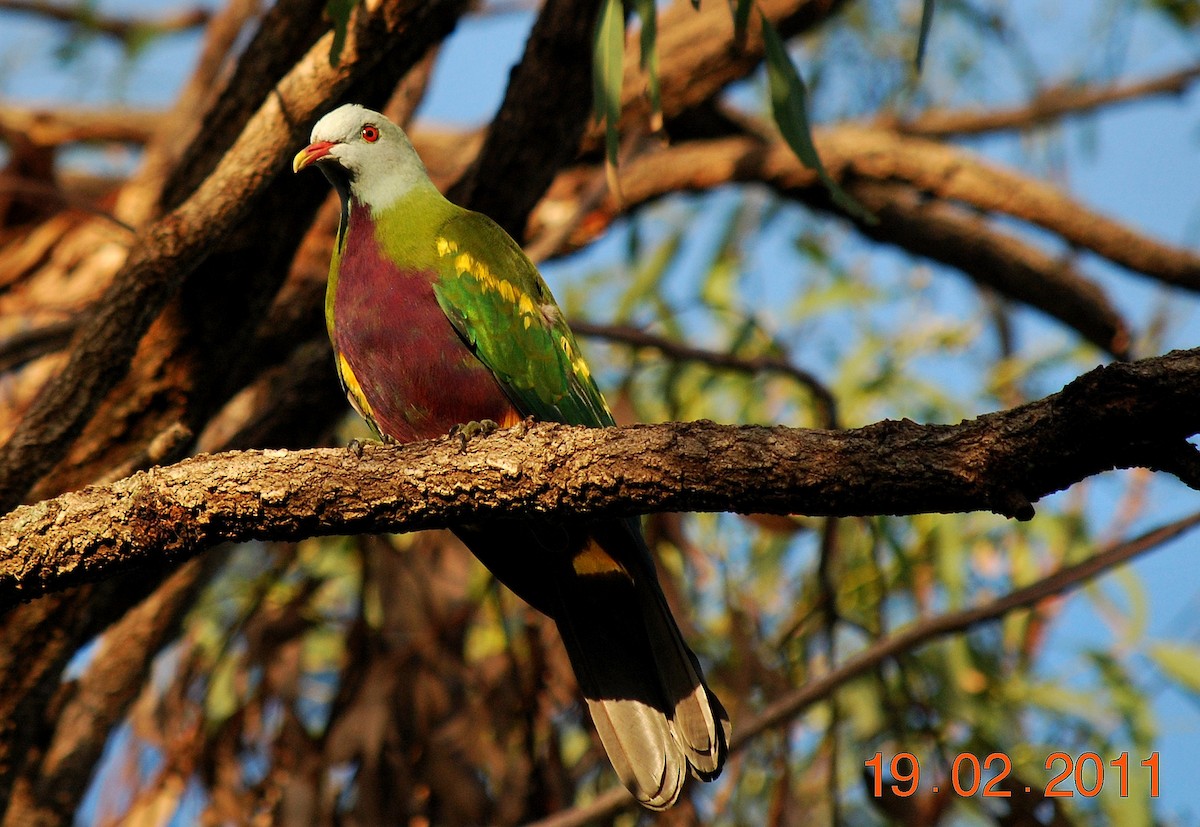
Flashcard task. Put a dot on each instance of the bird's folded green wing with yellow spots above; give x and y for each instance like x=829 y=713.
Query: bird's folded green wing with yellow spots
x=505 y=313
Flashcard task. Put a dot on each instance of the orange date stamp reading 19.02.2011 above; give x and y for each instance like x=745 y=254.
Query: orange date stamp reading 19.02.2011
x=1084 y=776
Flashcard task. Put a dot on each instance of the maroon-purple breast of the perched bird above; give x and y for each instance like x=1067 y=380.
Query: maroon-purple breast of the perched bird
x=418 y=376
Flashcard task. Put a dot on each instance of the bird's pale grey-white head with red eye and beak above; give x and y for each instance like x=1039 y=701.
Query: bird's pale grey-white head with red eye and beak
x=365 y=157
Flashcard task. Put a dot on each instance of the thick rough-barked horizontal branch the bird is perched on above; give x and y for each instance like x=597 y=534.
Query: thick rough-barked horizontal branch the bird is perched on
x=1115 y=417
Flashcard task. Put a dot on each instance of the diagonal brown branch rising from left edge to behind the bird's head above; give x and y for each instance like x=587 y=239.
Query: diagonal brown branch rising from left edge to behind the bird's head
x=173 y=247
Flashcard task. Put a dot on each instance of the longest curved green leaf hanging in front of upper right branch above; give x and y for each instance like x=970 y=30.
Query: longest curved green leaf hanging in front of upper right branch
x=789 y=104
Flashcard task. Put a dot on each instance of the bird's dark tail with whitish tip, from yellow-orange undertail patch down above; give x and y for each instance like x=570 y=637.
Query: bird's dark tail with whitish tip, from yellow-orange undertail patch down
x=656 y=717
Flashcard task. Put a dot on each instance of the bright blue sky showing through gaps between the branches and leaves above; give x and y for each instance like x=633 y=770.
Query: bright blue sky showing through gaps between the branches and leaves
x=1139 y=163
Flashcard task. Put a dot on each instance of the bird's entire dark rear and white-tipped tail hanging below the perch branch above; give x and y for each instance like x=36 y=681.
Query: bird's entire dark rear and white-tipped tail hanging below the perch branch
x=656 y=717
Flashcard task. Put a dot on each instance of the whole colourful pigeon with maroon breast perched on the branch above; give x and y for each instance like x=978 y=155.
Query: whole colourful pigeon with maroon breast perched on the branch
x=440 y=321
